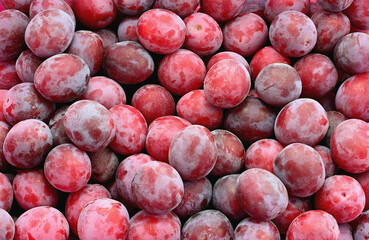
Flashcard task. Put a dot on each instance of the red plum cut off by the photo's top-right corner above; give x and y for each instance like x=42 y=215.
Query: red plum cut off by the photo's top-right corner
x=358 y=14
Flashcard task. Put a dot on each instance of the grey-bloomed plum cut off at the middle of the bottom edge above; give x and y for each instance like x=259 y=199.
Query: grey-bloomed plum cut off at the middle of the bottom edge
x=207 y=223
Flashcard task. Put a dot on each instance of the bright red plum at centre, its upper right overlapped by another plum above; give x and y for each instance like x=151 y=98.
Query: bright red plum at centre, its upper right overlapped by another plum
x=195 y=108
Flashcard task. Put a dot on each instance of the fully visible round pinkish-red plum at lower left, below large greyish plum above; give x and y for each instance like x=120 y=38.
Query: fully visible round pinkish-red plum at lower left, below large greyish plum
x=67 y=168
